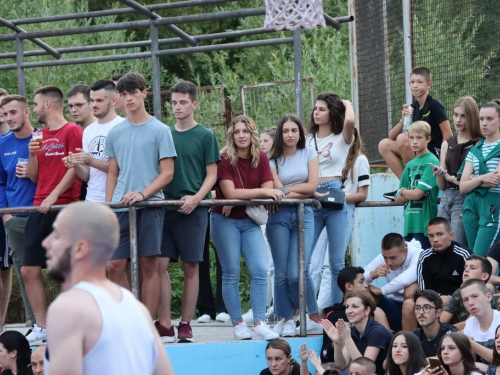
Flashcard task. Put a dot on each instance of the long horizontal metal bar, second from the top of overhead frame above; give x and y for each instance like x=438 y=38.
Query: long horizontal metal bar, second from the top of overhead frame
x=133 y=25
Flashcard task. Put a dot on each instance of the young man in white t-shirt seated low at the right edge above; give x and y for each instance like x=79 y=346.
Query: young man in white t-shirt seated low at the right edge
x=482 y=325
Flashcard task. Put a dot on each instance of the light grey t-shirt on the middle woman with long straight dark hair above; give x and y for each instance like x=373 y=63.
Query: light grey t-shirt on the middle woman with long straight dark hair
x=294 y=170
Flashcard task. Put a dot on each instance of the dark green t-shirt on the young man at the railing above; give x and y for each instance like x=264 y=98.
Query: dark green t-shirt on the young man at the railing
x=196 y=148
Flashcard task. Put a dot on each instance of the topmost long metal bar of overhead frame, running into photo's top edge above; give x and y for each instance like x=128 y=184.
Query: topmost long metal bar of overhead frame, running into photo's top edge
x=117 y=12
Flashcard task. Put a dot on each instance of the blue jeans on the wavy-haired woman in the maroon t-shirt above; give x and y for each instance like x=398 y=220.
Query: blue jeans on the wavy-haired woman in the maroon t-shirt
x=231 y=238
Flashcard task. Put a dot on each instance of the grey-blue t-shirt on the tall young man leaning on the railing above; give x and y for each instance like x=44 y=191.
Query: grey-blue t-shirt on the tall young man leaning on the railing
x=138 y=149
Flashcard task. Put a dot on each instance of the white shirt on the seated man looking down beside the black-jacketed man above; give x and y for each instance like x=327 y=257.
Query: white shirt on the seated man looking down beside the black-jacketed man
x=400 y=278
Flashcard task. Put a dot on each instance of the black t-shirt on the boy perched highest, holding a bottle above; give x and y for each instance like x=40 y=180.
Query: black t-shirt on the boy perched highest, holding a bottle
x=433 y=113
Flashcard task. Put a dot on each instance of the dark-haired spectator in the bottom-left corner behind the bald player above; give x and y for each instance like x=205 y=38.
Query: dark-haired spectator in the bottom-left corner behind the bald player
x=14 y=353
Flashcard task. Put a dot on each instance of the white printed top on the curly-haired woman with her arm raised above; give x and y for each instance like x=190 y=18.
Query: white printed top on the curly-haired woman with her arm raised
x=332 y=152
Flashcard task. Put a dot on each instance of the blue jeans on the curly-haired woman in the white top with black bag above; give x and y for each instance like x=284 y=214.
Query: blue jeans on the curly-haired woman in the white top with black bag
x=335 y=222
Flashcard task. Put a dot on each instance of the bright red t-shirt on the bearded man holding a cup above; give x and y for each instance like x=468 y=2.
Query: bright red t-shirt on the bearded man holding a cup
x=51 y=170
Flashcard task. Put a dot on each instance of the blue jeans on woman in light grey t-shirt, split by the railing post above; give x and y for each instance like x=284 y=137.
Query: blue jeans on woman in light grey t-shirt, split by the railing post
x=282 y=234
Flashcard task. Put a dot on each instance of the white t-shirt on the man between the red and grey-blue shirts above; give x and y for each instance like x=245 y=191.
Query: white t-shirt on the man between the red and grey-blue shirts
x=94 y=141
